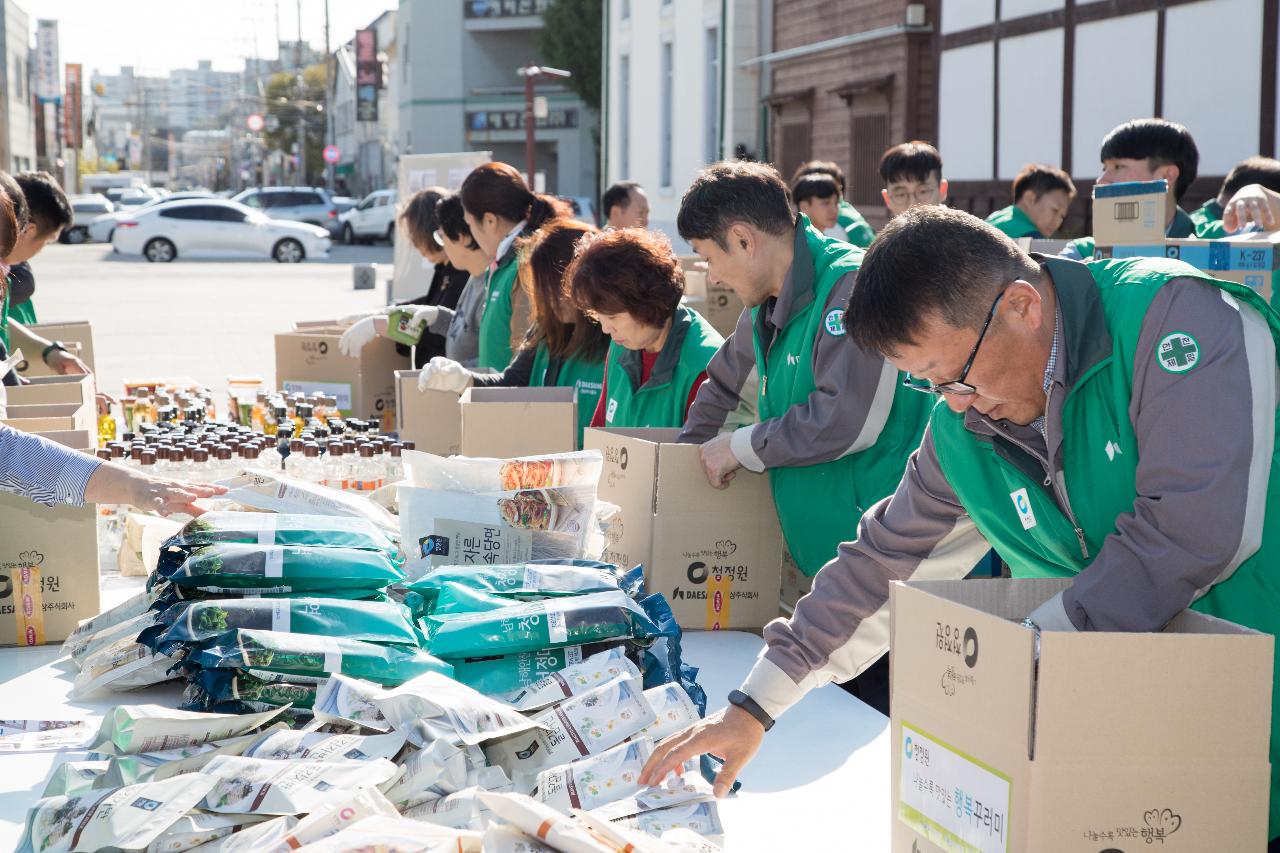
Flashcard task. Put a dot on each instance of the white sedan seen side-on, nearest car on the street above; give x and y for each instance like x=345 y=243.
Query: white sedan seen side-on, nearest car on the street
x=216 y=227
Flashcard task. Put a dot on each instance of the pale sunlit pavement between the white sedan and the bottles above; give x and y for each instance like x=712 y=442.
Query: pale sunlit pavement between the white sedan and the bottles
x=205 y=320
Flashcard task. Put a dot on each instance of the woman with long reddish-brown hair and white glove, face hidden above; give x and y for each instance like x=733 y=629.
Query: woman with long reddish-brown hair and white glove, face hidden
x=563 y=349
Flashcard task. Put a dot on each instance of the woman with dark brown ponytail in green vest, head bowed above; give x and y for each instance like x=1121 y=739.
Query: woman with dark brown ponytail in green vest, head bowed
x=500 y=209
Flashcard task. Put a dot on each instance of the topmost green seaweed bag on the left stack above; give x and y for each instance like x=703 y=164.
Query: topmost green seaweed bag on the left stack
x=285 y=530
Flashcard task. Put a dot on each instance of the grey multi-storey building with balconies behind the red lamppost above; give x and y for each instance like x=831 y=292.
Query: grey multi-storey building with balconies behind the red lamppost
x=459 y=90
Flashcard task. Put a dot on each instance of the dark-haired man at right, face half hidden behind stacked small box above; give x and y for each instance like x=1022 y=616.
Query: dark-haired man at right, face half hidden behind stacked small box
x=1149 y=150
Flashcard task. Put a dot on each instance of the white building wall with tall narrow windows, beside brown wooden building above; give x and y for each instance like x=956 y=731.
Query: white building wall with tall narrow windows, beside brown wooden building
x=661 y=133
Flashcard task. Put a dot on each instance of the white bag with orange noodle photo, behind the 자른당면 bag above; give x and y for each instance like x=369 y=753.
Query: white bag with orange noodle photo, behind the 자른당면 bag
x=479 y=475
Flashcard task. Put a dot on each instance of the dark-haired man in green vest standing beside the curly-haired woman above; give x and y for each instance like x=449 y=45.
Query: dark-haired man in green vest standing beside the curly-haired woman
x=836 y=425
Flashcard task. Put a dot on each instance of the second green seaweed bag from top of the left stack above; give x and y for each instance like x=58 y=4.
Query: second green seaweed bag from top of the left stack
x=266 y=569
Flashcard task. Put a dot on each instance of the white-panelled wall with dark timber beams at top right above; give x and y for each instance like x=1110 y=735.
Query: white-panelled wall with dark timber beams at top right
x=1027 y=81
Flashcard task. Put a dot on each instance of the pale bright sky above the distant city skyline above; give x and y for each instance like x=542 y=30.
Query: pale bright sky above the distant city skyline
x=156 y=37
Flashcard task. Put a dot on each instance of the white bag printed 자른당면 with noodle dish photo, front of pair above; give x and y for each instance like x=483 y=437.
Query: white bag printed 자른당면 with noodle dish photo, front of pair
x=460 y=528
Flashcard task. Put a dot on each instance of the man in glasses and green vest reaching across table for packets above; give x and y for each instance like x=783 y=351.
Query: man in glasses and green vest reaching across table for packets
x=1112 y=423
